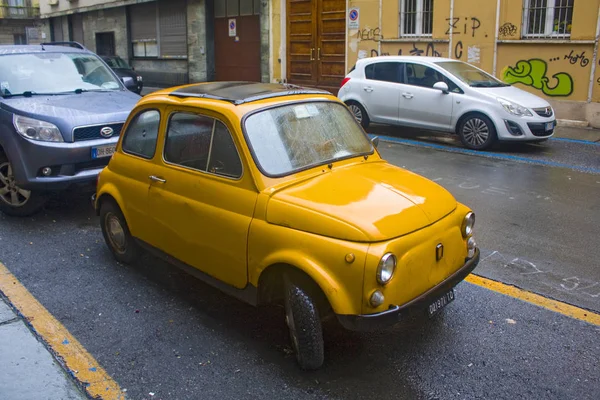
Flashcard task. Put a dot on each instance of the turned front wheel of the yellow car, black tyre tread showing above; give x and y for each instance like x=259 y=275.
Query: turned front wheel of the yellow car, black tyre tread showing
x=304 y=323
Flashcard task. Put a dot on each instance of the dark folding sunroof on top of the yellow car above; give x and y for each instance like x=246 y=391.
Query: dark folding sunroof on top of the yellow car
x=243 y=92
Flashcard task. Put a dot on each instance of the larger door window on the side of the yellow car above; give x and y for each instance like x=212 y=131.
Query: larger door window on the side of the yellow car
x=201 y=143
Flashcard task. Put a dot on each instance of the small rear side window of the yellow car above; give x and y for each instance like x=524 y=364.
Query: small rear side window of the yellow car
x=142 y=134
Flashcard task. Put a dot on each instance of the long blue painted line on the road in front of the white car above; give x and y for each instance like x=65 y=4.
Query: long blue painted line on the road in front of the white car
x=487 y=154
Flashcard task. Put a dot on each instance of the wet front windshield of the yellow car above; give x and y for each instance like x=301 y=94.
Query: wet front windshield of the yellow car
x=303 y=135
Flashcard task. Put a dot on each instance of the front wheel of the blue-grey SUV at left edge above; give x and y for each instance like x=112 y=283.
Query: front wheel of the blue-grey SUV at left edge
x=15 y=201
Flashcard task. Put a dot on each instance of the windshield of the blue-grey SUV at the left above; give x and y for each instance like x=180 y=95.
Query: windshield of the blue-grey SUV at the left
x=54 y=73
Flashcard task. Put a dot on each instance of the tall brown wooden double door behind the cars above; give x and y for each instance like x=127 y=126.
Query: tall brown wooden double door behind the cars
x=316 y=43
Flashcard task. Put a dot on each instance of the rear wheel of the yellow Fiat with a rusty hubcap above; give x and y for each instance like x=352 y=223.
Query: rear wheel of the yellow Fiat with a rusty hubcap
x=116 y=233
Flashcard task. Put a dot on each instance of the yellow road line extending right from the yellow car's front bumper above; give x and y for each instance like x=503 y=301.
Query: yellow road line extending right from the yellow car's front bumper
x=553 y=305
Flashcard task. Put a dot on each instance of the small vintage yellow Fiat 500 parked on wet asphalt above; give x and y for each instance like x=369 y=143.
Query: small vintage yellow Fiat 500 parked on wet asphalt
x=274 y=193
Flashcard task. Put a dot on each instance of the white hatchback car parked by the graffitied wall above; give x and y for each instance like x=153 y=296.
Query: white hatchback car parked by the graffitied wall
x=445 y=95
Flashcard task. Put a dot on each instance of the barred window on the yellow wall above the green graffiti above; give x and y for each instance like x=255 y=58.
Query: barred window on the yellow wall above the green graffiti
x=547 y=18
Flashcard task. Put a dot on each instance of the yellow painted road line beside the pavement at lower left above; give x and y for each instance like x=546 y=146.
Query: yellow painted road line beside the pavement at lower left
x=94 y=379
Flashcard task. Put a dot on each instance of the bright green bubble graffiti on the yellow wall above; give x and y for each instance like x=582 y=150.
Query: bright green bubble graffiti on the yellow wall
x=533 y=73
